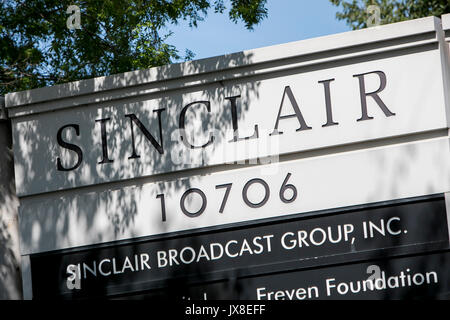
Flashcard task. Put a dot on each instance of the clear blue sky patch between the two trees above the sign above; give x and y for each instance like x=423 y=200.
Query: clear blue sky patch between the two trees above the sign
x=288 y=20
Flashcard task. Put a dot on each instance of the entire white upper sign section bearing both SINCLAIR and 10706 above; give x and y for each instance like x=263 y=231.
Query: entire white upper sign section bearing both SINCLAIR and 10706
x=336 y=121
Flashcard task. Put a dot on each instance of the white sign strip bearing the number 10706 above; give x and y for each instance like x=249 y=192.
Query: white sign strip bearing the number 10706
x=243 y=195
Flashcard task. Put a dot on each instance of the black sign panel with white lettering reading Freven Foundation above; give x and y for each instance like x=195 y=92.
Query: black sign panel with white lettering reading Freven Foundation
x=416 y=277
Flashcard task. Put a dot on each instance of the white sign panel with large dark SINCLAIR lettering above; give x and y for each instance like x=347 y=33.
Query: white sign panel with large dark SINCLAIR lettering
x=247 y=118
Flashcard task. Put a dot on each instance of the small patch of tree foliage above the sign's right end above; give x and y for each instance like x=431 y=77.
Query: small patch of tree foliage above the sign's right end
x=355 y=13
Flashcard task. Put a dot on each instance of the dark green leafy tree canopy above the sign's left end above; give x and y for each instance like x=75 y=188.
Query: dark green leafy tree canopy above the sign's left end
x=37 y=49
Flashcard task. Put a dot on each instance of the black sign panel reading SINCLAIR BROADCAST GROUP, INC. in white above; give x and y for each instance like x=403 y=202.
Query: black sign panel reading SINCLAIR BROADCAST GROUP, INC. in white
x=339 y=237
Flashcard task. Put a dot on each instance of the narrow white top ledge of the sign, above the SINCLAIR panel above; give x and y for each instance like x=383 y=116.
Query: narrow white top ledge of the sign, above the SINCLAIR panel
x=221 y=63
